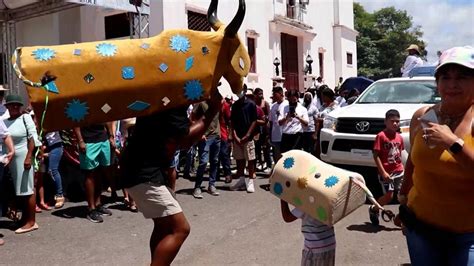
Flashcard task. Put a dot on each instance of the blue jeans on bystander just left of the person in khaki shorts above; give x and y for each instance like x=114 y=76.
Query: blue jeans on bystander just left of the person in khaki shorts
x=208 y=151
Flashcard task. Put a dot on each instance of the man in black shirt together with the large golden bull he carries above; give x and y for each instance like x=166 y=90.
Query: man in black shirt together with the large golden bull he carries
x=154 y=79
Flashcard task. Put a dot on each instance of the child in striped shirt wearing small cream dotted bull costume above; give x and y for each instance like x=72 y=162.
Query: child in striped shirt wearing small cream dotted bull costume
x=322 y=195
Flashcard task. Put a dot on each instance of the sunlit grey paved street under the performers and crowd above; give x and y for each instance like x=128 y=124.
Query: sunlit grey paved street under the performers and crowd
x=235 y=228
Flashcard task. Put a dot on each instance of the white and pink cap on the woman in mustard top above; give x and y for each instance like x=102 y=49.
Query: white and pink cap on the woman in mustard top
x=463 y=56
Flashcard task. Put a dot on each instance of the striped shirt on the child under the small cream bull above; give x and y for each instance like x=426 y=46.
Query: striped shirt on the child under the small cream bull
x=318 y=237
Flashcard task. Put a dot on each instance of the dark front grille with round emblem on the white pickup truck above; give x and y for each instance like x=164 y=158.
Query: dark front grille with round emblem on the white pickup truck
x=366 y=125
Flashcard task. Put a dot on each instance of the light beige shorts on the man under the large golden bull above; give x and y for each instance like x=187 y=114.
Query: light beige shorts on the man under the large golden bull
x=154 y=201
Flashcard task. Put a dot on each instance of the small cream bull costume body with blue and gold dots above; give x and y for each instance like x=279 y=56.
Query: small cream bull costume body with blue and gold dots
x=322 y=191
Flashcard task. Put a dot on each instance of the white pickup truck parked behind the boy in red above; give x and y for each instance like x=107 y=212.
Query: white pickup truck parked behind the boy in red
x=348 y=133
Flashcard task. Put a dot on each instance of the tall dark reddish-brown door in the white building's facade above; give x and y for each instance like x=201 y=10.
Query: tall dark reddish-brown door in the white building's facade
x=289 y=59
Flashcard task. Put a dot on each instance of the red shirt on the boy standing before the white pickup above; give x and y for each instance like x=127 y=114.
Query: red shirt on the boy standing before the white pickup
x=389 y=147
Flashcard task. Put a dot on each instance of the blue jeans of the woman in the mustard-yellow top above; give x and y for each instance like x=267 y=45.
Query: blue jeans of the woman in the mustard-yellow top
x=450 y=249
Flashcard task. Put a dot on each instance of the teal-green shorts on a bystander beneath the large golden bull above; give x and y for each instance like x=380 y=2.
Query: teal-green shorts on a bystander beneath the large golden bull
x=97 y=154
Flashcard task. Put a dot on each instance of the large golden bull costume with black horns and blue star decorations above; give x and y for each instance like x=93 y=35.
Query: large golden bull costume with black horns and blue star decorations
x=102 y=81
